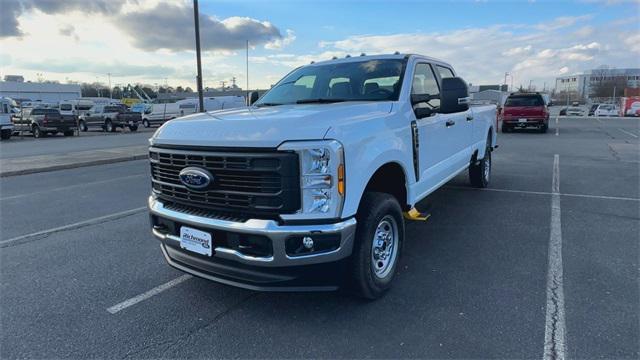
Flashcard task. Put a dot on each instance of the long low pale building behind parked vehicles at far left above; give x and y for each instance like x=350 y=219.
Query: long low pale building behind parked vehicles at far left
x=45 y=92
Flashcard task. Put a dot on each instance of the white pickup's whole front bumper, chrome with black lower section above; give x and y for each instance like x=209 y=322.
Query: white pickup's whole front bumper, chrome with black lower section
x=276 y=271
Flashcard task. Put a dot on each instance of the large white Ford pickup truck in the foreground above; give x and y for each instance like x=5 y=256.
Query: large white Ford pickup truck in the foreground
x=309 y=187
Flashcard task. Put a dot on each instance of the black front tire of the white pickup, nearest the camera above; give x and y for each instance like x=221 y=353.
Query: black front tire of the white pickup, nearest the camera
x=369 y=279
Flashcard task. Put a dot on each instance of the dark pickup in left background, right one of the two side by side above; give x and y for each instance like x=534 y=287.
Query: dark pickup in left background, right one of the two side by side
x=109 y=118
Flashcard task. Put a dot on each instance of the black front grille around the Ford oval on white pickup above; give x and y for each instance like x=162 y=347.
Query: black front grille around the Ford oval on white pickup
x=261 y=184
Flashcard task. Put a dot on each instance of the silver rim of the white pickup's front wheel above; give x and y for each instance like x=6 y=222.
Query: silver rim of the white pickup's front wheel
x=384 y=248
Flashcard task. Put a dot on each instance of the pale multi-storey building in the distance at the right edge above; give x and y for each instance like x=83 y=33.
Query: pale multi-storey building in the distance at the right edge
x=583 y=84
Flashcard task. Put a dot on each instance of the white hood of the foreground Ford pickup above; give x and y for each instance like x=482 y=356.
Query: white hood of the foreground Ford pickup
x=265 y=126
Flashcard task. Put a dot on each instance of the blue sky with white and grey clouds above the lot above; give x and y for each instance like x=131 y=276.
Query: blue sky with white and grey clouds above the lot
x=150 y=41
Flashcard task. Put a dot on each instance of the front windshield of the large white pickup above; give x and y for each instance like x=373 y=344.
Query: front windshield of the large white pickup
x=372 y=80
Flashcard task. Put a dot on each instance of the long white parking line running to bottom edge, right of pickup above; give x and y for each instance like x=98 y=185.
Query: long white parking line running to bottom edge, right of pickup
x=554 y=335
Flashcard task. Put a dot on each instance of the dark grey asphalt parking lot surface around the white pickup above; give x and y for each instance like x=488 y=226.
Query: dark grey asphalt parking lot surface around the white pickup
x=82 y=277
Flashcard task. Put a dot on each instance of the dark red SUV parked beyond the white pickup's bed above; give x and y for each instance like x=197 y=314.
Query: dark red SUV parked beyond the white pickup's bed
x=525 y=110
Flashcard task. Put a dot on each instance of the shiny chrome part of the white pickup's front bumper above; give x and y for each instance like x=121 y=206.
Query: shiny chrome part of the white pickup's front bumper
x=268 y=228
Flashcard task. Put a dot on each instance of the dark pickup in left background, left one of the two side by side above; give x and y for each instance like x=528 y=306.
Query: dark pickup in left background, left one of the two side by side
x=43 y=121
